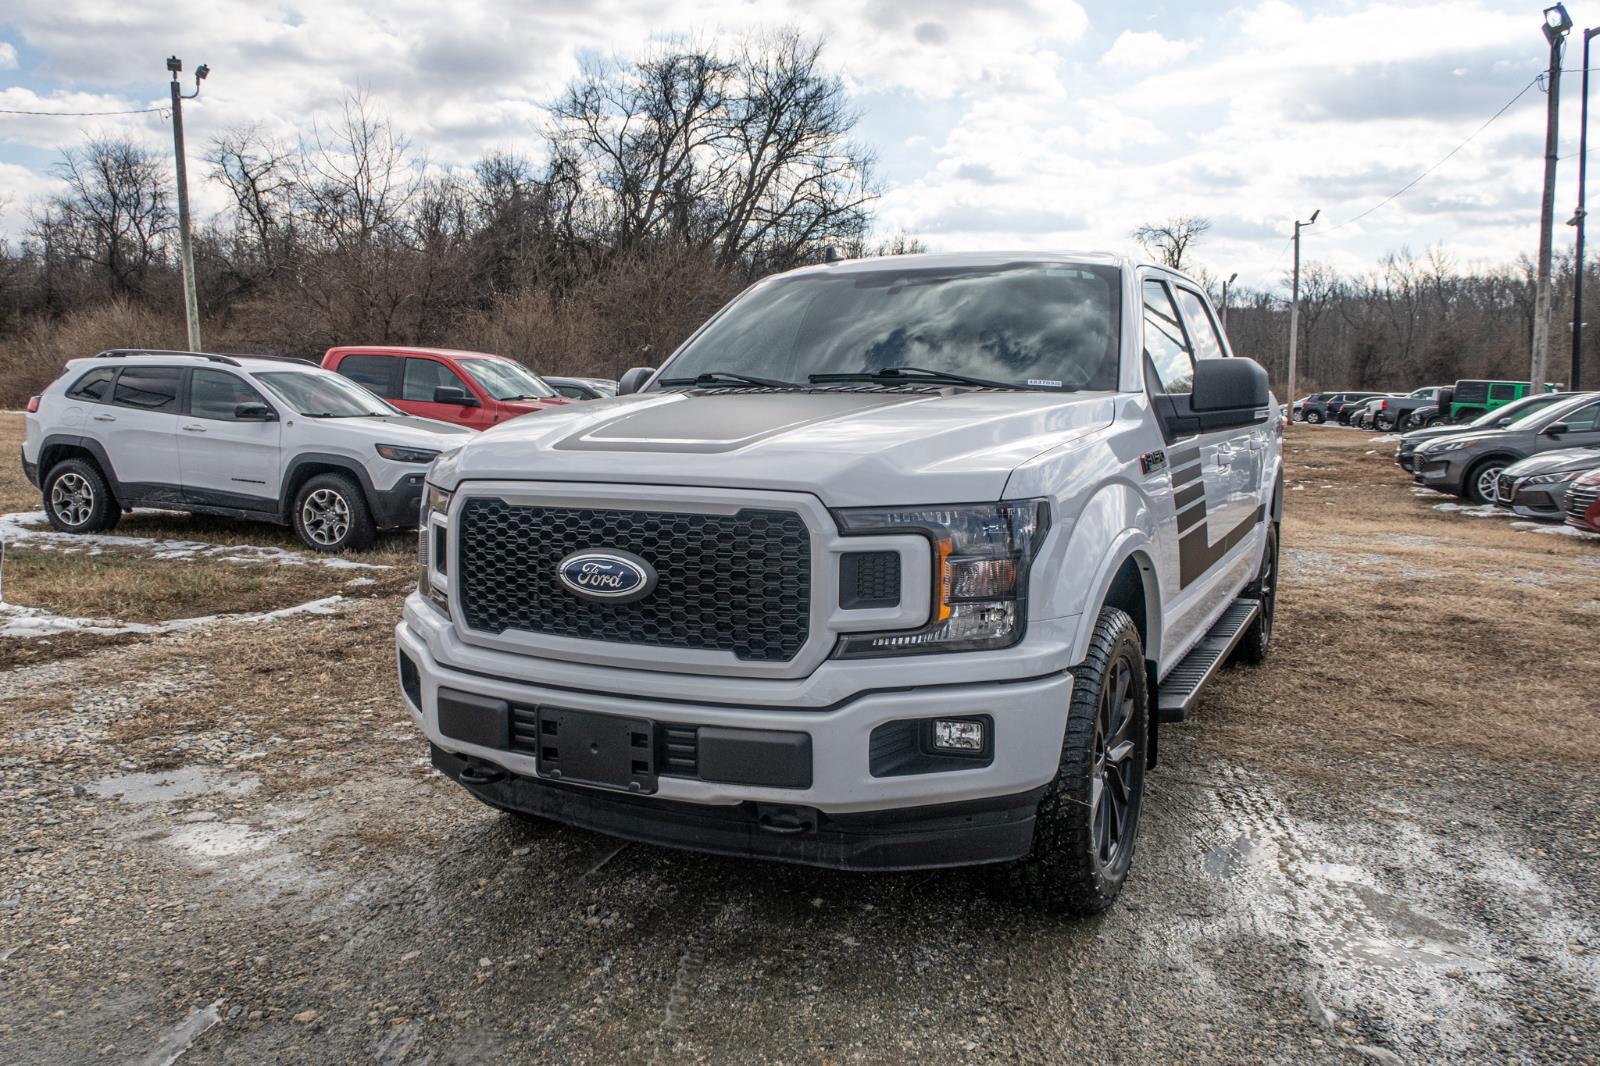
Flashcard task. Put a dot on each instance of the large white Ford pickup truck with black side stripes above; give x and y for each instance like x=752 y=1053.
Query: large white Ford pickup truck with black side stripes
x=894 y=564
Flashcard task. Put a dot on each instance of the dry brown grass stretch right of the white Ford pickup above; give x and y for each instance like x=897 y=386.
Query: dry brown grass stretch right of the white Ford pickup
x=1399 y=623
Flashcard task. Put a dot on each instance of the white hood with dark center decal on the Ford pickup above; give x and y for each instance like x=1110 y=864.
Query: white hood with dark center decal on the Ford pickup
x=847 y=447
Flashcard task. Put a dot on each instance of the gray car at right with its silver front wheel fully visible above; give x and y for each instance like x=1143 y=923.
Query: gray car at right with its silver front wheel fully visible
x=1470 y=463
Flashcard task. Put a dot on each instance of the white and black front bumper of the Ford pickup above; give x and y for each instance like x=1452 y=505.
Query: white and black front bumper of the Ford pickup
x=978 y=814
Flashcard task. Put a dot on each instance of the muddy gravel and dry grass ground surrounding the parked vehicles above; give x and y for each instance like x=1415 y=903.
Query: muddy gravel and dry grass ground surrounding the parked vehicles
x=226 y=844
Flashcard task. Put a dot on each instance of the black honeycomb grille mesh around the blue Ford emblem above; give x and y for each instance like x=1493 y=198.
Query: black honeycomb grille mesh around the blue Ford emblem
x=732 y=583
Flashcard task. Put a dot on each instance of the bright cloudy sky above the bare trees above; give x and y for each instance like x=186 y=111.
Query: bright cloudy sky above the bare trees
x=1022 y=124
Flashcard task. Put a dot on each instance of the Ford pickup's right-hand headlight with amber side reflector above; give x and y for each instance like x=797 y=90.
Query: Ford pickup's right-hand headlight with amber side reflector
x=982 y=558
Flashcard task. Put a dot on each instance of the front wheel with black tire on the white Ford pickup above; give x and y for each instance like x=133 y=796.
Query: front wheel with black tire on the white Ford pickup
x=1089 y=817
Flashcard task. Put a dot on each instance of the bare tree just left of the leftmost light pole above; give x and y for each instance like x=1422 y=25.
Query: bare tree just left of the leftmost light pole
x=114 y=215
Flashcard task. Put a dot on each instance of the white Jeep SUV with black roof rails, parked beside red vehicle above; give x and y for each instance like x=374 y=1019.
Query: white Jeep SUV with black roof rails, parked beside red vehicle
x=250 y=436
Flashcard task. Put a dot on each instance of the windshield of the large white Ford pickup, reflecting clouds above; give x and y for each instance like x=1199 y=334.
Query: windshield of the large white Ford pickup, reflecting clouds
x=1047 y=327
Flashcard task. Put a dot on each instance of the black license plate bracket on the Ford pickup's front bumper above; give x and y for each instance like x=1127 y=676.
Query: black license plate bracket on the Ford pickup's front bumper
x=602 y=750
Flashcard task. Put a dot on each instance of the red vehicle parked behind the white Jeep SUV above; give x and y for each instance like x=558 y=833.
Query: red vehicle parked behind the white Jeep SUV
x=473 y=390
